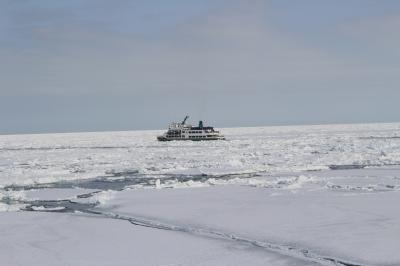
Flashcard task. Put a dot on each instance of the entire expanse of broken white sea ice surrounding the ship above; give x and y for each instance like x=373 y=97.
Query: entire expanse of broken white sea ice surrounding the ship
x=292 y=195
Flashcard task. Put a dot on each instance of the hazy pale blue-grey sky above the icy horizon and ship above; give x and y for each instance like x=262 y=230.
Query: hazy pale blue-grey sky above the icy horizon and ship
x=93 y=65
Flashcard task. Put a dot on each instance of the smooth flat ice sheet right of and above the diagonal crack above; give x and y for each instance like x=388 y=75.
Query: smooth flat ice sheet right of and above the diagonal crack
x=360 y=228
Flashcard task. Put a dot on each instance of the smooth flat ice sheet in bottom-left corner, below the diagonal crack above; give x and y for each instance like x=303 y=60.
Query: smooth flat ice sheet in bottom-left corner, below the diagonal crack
x=63 y=239
